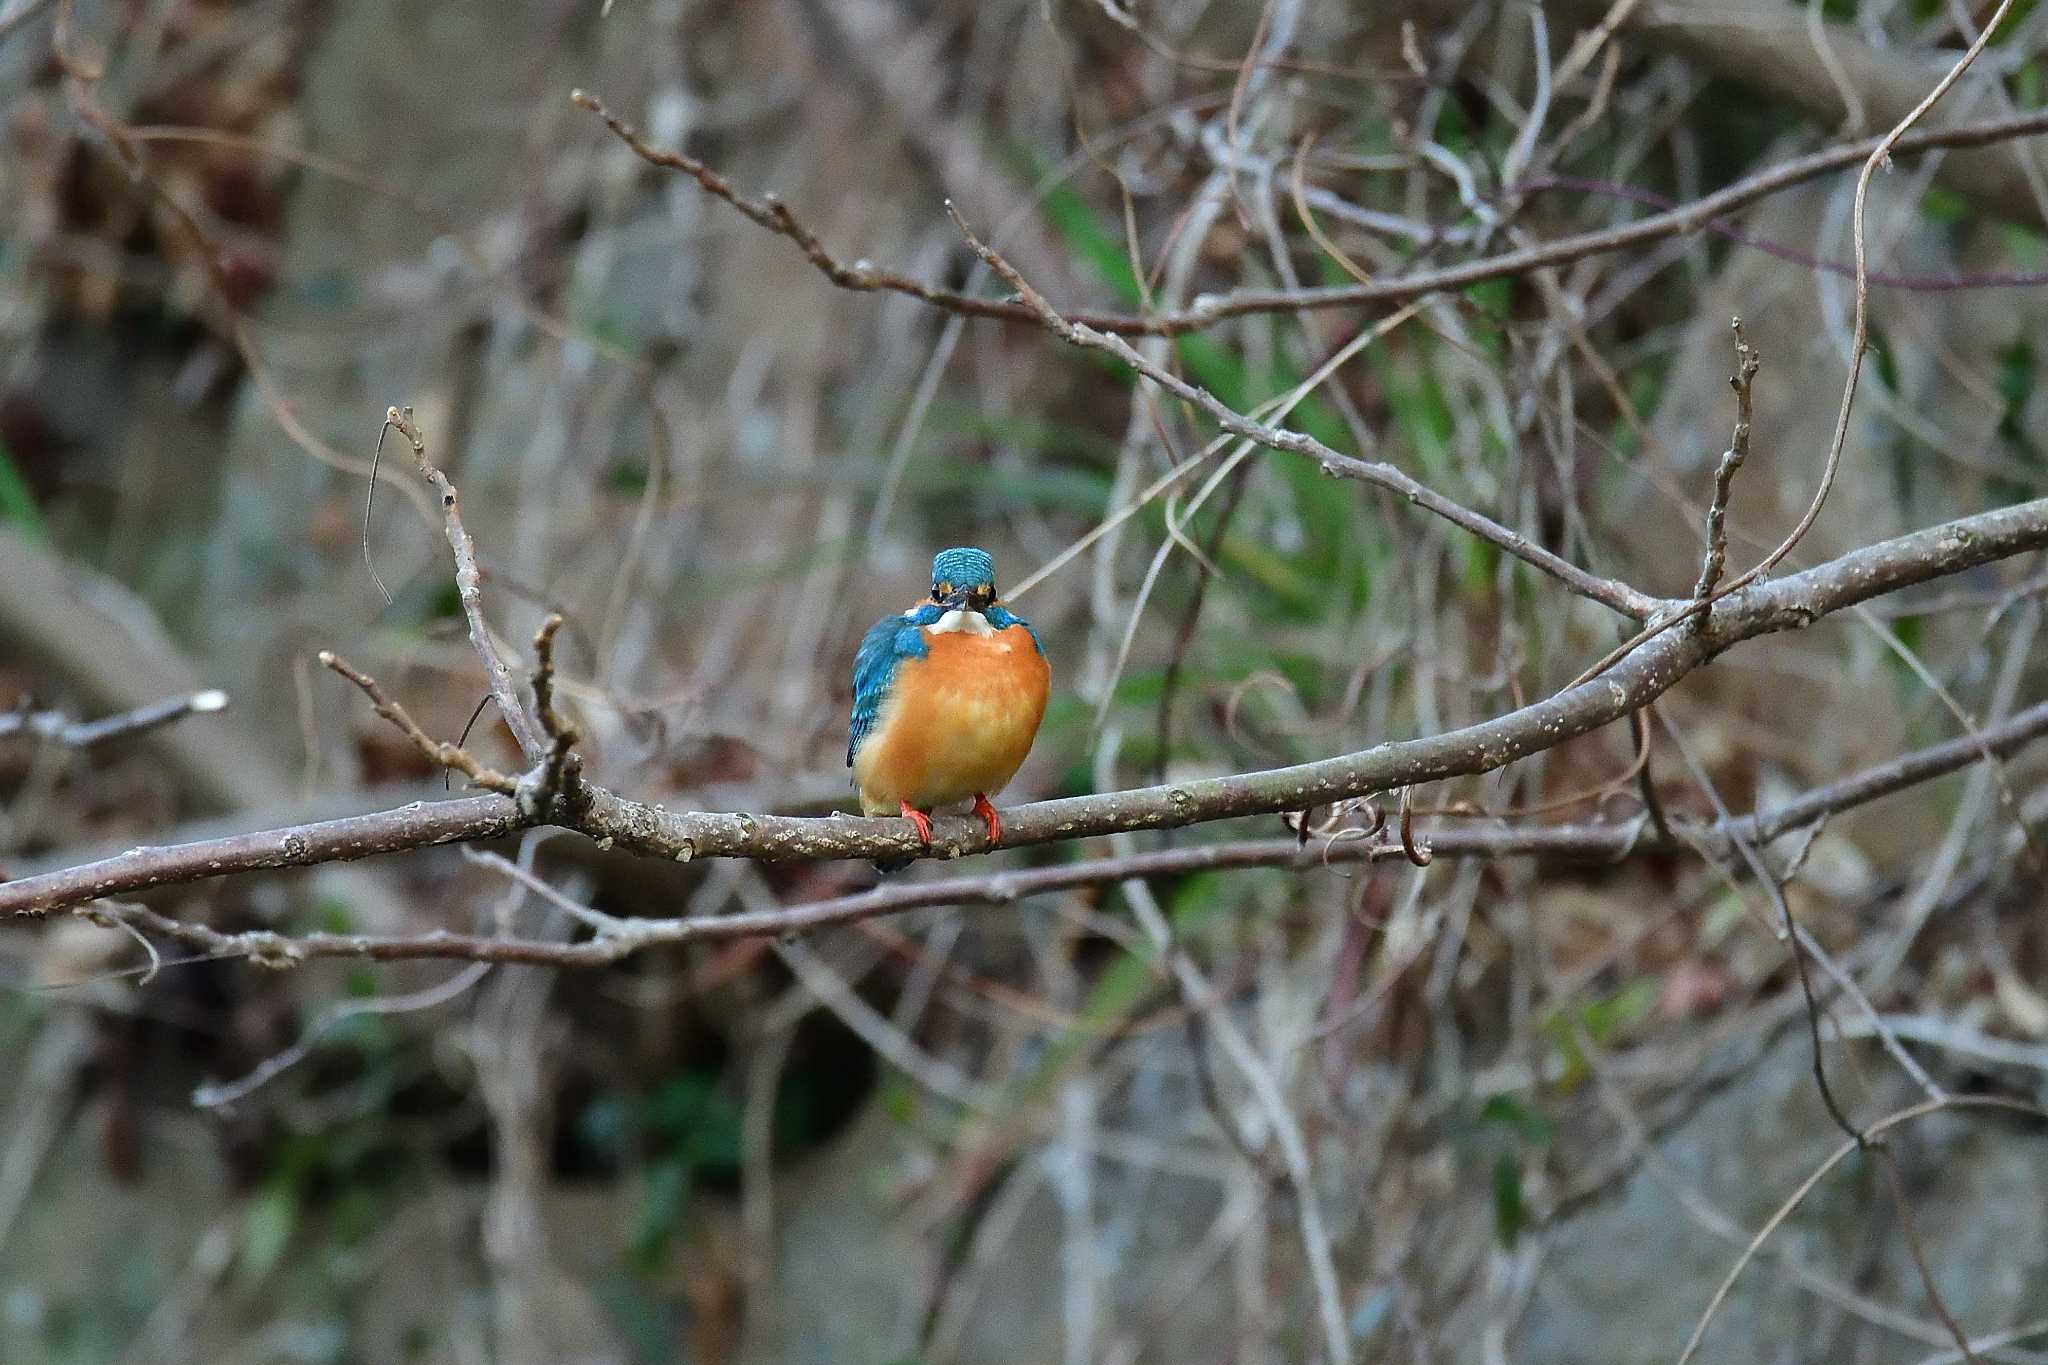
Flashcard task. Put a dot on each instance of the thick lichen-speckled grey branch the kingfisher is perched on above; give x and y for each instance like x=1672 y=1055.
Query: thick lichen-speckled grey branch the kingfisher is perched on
x=611 y=820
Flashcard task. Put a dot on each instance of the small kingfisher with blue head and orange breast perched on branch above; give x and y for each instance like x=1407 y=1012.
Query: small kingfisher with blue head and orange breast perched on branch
x=947 y=699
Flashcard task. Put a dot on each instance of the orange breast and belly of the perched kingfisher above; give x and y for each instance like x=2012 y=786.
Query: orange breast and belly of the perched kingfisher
x=957 y=721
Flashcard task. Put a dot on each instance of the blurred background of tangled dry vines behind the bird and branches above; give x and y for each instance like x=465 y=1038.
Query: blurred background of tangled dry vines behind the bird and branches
x=1478 y=1112
